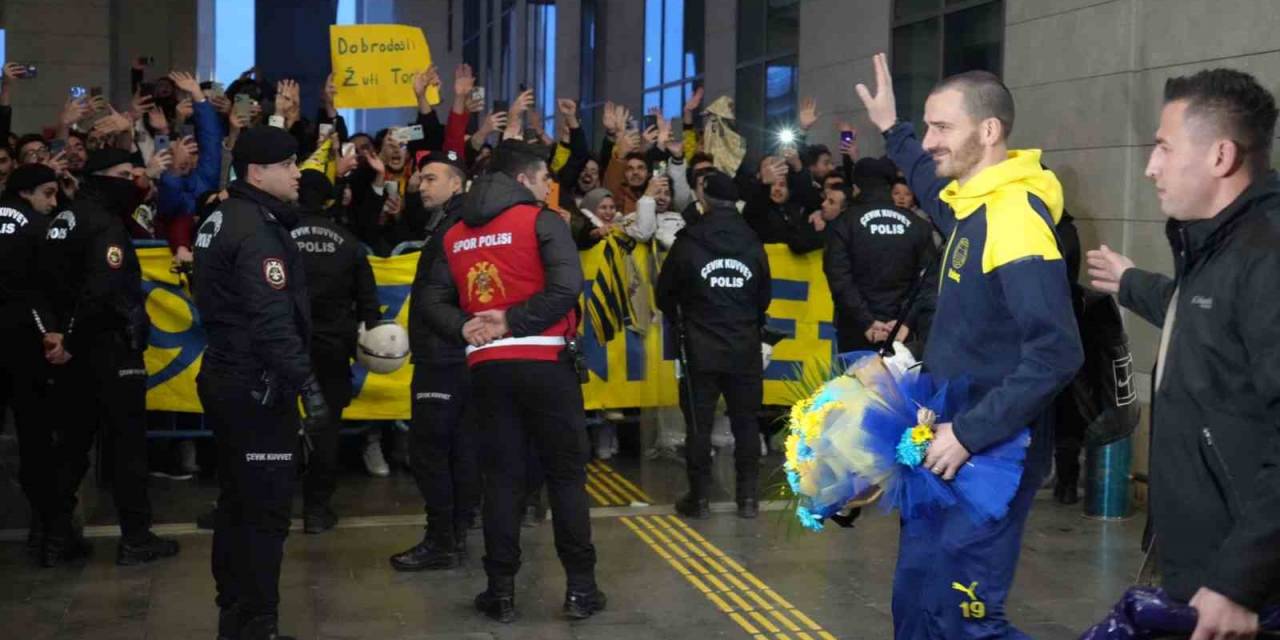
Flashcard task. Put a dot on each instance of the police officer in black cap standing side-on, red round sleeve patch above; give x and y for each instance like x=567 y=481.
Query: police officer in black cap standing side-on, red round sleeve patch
x=253 y=298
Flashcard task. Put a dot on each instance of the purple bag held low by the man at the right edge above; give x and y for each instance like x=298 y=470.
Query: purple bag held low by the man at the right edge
x=1149 y=614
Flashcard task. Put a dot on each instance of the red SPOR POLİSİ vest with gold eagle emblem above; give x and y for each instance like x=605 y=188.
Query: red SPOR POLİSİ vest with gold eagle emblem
x=499 y=267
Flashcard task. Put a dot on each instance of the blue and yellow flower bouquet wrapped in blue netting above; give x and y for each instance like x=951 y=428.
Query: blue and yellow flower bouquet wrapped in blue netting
x=863 y=437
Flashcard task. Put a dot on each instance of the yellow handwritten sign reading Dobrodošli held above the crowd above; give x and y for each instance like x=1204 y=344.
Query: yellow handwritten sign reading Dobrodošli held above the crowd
x=374 y=66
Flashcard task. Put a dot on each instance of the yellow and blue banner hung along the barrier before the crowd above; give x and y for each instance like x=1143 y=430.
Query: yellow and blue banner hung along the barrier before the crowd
x=628 y=369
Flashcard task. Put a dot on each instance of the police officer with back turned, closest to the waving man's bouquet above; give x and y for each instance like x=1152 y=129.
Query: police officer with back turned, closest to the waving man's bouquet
x=875 y=253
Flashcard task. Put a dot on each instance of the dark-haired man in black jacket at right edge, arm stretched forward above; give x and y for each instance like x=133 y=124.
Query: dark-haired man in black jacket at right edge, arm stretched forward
x=1215 y=454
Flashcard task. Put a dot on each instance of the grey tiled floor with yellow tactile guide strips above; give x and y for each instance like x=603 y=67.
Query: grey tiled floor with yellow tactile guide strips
x=762 y=579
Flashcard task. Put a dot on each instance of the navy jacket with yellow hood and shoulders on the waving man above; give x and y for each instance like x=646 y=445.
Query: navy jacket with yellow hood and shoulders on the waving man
x=1004 y=318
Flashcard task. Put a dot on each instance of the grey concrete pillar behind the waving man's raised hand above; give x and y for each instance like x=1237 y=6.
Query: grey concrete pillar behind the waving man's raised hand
x=838 y=42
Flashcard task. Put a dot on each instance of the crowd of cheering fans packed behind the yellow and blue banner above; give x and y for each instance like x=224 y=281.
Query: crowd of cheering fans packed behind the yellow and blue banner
x=636 y=188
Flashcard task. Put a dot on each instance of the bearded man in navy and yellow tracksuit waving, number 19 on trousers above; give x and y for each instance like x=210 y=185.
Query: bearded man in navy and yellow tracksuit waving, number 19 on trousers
x=1004 y=322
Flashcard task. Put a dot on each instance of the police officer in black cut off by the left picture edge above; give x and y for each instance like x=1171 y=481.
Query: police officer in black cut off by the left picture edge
x=30 y=198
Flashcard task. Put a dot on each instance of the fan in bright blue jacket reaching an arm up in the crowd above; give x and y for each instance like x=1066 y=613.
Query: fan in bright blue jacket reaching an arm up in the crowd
x=181 y=186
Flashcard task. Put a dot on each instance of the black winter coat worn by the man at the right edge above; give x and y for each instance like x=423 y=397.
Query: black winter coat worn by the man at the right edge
x=1215 y=455
